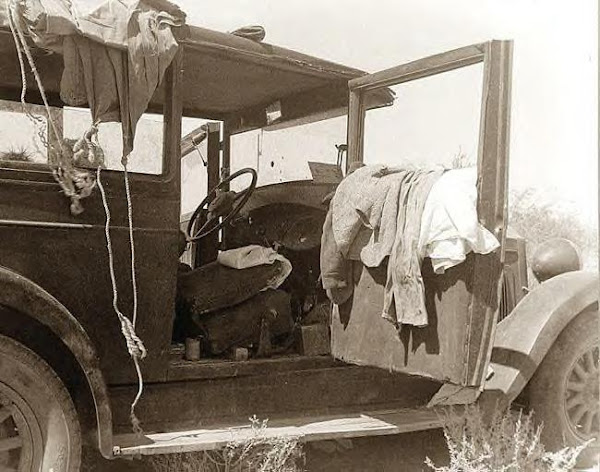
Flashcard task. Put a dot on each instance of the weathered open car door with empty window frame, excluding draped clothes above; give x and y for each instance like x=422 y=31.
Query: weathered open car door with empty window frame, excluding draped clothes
x=462 y=304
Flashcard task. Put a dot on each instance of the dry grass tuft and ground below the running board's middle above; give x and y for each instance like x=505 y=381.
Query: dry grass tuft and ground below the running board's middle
x=260 y=453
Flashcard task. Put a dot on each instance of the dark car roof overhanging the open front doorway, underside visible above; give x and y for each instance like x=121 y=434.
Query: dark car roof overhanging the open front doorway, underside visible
x=225 y=77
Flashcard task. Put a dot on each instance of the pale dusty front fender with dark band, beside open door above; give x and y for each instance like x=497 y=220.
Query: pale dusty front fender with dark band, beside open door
x=524 y=337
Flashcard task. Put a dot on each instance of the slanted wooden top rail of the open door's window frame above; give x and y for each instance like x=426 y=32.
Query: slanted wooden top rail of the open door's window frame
x=421 y=68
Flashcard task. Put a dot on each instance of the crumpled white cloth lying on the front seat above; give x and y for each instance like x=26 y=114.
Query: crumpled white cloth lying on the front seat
x=255 y=255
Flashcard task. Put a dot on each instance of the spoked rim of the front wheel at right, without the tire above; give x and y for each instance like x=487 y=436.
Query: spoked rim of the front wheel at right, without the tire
x=582 y=396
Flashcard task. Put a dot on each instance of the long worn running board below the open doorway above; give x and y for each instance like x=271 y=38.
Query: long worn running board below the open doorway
x=305 y=429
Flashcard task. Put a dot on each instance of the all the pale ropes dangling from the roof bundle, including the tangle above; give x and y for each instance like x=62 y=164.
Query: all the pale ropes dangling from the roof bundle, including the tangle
x=135 y=346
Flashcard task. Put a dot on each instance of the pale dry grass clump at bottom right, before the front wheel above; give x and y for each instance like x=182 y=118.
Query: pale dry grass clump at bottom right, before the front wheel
x=508 y=442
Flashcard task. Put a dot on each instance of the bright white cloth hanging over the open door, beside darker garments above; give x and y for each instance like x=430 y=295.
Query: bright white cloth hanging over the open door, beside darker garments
x=450 y=228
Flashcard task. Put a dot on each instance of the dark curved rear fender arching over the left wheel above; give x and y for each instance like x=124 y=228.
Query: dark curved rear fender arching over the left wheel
x=25 y=296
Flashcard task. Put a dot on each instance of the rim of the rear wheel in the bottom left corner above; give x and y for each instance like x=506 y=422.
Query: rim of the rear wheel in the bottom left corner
x=20 y=436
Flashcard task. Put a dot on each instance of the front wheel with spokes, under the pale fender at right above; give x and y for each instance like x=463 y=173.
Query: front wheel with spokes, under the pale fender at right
x=564 y=390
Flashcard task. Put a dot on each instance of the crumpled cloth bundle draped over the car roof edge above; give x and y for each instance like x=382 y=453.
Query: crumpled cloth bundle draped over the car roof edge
x=114 y=57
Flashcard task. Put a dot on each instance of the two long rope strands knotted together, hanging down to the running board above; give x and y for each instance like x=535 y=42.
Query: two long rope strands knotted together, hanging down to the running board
x=135 y=346
